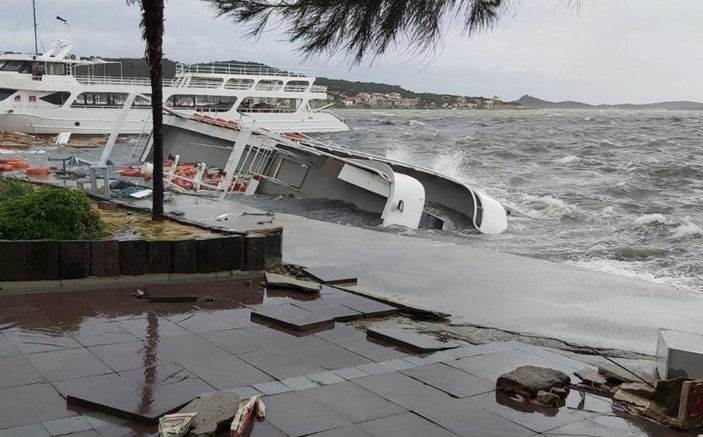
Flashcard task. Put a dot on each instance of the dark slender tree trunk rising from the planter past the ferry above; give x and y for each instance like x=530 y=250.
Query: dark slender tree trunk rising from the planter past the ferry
x=153 y=25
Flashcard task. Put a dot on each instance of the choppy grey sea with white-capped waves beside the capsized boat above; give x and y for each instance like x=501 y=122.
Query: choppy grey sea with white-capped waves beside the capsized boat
x=614 y=191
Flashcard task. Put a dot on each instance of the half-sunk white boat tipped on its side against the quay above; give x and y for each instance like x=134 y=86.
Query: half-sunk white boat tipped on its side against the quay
x=252 y=160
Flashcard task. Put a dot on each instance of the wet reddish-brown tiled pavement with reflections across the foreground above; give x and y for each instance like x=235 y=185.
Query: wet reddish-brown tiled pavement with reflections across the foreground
x=103 y=363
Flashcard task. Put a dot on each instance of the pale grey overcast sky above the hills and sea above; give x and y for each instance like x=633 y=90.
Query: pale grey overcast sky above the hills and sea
x=606 y=51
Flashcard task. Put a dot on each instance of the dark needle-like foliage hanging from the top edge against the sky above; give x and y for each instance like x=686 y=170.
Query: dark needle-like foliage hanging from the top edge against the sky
x=360 y=27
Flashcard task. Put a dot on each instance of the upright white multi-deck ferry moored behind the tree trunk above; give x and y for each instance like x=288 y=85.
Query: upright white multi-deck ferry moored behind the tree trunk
x=79 y=96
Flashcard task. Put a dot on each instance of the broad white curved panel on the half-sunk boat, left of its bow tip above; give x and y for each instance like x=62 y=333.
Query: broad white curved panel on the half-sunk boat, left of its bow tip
x=405 y=203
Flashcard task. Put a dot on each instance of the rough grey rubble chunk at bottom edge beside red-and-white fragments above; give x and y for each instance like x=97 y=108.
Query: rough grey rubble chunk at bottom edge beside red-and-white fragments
x=213 y=412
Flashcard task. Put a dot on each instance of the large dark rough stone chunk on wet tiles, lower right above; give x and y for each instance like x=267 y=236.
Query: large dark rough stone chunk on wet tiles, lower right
x=528 y=381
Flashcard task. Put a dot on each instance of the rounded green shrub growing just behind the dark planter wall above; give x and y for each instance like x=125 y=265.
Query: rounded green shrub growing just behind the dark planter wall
x=50 y=214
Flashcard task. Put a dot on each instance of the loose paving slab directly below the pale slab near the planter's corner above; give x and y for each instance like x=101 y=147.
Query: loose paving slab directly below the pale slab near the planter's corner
x=291 y=317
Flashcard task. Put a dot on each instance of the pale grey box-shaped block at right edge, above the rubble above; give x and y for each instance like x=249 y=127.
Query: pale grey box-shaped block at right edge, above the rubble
x=679 y=354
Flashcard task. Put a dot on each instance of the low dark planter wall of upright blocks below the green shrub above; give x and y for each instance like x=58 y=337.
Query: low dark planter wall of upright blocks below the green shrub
x=43 y=260
